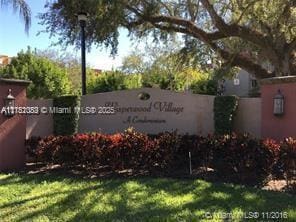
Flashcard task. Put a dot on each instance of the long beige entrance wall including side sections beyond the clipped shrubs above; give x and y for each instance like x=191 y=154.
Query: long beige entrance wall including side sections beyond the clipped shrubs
x=197 y=115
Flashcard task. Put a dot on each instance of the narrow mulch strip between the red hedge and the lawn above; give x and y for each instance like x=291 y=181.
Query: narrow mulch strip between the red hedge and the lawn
x=83 y=171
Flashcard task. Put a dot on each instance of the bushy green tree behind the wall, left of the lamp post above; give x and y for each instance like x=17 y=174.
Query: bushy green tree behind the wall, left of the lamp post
x=48 y=79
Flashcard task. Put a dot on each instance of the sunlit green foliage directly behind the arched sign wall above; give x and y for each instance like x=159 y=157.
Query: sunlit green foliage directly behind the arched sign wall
x=159 y=66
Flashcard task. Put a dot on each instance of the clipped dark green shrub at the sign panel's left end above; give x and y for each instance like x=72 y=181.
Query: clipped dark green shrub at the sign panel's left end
x=66 y=123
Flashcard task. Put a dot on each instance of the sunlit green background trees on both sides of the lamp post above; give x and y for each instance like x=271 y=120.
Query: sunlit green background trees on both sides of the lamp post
x=54 y=74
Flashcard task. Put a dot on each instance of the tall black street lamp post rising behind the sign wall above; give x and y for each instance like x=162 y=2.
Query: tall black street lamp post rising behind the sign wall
x=82 y=18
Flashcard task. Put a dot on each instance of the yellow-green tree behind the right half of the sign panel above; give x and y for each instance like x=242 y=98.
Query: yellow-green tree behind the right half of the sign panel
x=164 y=66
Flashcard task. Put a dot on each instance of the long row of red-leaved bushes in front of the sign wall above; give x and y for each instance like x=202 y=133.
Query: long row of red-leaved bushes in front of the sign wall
x=235 y=158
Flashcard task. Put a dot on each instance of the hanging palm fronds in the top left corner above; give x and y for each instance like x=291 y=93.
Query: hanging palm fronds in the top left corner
x=22 y=7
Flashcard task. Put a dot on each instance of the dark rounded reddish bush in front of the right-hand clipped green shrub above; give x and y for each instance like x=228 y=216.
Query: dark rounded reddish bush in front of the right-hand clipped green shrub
x=243 y=159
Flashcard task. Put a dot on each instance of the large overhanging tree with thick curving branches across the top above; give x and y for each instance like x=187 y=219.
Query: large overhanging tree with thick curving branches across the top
x=258 y=36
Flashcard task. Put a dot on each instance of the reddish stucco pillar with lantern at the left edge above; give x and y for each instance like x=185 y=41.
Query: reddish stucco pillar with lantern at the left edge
x=13 y=129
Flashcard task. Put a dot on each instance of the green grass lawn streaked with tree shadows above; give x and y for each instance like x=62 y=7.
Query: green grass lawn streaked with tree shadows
x=60 y=198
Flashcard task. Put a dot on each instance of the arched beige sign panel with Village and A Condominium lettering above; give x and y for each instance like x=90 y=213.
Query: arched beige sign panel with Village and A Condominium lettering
x=149 y=110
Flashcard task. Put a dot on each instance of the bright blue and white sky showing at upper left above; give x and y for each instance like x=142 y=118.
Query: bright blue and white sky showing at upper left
x=13 y=38
